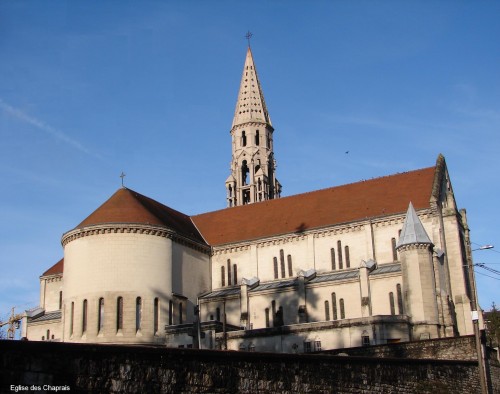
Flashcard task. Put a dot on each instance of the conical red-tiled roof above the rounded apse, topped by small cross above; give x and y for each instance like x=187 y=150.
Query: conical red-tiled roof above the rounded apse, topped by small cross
x=128 y=206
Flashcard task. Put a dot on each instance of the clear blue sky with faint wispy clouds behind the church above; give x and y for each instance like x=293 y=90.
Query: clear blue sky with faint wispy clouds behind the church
x=91 y=88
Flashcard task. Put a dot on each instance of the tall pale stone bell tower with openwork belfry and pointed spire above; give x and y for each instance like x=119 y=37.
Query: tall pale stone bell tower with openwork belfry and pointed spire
x=253 y=167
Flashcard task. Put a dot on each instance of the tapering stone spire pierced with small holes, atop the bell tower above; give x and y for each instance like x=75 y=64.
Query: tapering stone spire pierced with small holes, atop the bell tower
x=250 y=106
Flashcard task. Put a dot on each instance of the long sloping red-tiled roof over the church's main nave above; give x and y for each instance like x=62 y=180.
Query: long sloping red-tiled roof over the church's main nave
x=342 y=204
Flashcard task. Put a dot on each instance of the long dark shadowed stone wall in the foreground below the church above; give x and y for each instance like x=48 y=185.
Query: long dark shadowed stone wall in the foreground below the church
x=111 y=368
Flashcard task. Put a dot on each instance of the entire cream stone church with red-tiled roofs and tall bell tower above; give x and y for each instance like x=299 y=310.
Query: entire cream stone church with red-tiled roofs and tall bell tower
x=372 y=262
